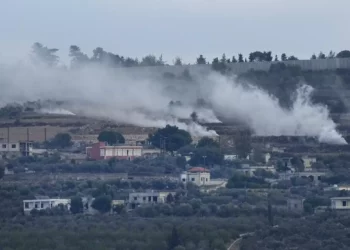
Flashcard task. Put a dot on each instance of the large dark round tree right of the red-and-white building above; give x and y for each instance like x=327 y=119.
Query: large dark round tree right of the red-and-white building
x=171 y=138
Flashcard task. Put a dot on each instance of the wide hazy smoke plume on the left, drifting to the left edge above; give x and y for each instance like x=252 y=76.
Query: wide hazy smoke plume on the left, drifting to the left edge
x=101 y=92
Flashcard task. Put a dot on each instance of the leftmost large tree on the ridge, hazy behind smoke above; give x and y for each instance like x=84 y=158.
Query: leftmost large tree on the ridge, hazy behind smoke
x=43 y=54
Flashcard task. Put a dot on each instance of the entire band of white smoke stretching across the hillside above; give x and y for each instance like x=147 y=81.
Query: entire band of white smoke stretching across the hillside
x=125 y=96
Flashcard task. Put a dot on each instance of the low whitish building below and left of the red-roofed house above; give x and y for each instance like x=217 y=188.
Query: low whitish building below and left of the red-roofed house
x=151 y=197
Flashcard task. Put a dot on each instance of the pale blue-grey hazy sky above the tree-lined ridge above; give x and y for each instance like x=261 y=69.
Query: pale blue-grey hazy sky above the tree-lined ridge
x=184 y=28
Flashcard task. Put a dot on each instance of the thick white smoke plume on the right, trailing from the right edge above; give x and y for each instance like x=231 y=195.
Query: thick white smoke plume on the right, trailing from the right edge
x=263 y=114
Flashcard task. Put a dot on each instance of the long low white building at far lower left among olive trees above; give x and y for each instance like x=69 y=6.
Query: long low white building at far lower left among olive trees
x=42 y=203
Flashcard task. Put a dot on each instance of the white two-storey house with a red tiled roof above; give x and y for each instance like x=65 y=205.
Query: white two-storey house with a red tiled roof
x=197 y=175
